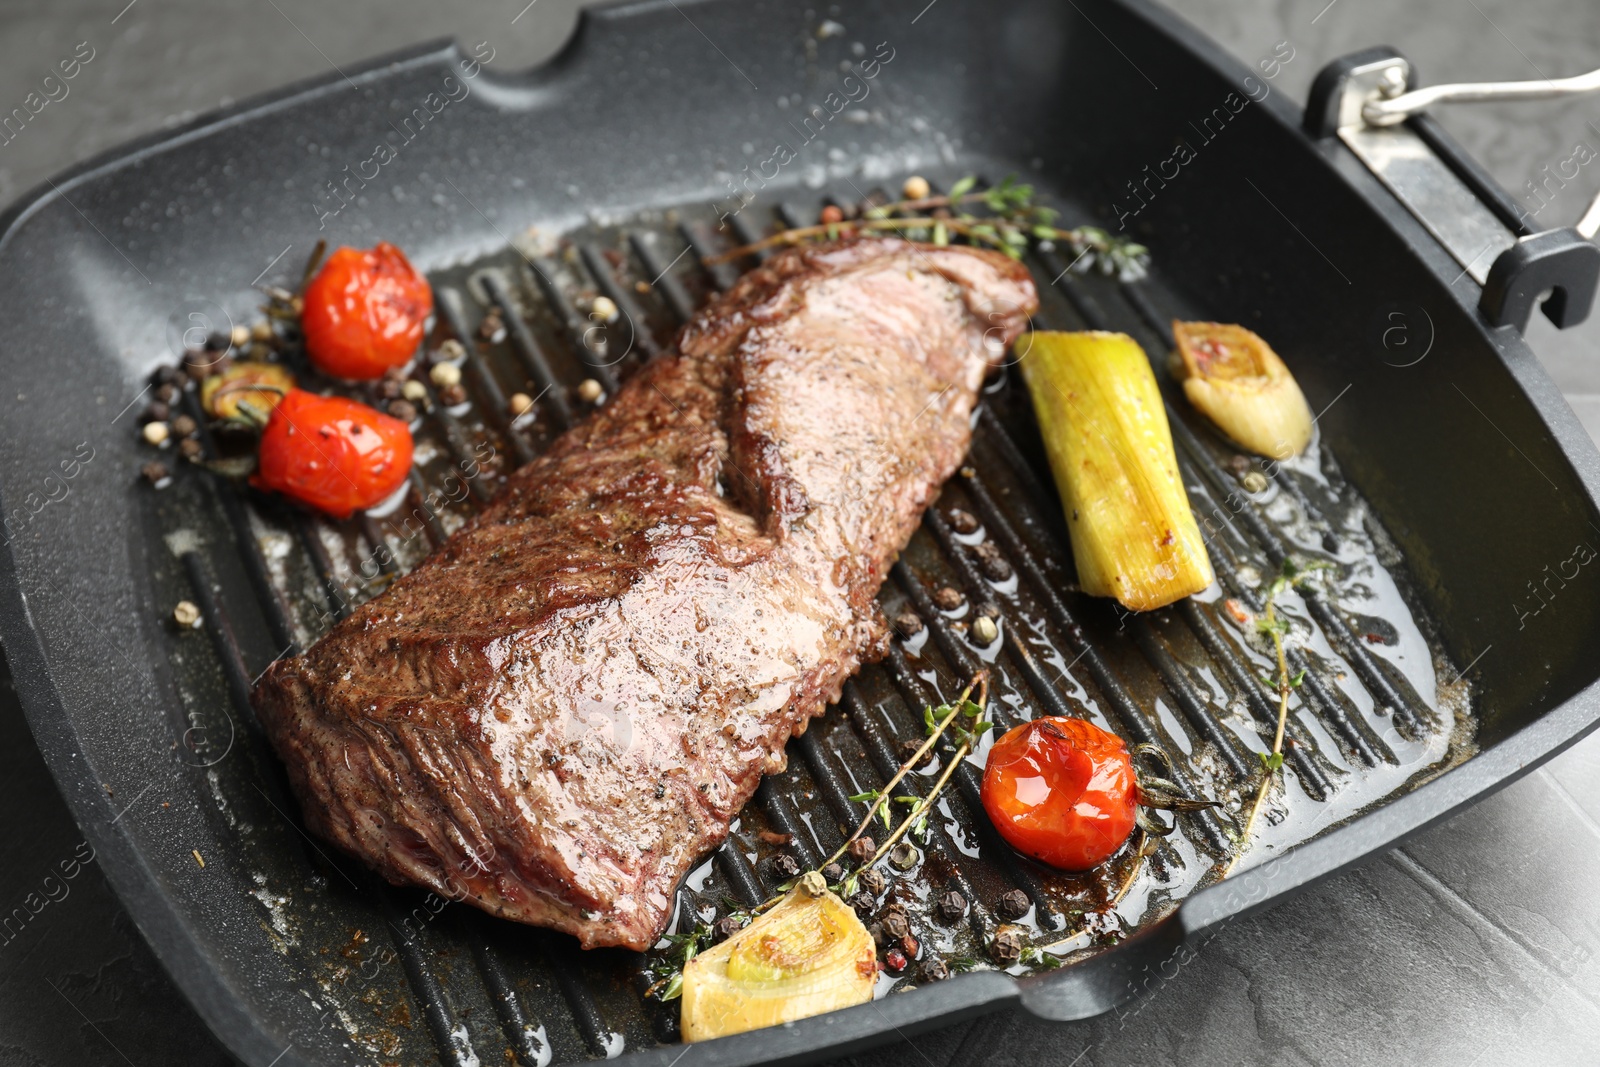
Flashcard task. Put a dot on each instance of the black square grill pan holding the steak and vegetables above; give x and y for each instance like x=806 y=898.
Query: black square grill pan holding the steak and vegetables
x=1460 y=479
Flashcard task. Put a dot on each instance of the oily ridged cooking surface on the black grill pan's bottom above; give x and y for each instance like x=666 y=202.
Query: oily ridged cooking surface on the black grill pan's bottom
x=1183 y=679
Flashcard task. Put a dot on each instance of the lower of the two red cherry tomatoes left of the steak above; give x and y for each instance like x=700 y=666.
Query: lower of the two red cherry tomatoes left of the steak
x=332 y=454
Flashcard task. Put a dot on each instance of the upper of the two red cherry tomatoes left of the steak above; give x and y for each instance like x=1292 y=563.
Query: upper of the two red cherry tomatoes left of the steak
x=366 y=313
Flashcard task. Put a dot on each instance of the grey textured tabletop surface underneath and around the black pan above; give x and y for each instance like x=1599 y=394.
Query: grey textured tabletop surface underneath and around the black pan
x=1474 y=945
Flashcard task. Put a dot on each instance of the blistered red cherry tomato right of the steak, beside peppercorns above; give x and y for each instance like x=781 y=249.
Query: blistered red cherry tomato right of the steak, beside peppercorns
x=1062 y=791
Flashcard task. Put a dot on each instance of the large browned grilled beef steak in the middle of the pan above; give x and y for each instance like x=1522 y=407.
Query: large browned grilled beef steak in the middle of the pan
x=562 y=711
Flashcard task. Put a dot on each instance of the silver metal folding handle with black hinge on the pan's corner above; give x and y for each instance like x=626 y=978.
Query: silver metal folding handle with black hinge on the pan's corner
x=1369 y=103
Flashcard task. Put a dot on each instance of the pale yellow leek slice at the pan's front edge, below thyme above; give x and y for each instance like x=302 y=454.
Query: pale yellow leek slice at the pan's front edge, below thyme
x=807 y=956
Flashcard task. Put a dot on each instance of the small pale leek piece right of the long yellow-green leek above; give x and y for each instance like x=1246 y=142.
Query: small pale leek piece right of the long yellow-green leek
x=1238 y=382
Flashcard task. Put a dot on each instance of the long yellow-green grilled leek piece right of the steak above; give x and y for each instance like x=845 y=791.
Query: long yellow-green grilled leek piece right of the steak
x=1111 y=450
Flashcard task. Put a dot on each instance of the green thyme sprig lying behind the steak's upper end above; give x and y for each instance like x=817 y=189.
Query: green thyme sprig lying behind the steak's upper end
x=1012 y=222
